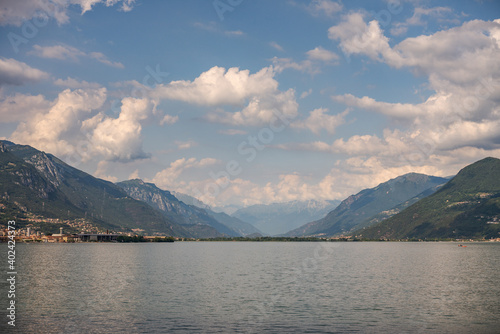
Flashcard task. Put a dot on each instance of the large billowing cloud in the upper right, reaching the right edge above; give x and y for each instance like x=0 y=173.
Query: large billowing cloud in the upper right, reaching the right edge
x=455 y=56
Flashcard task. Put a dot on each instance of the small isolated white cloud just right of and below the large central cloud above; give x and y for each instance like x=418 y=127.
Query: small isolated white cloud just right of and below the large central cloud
x=319 y=120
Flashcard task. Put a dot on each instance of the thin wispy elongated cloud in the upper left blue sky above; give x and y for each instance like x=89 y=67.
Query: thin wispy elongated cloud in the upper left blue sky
x=66 y=52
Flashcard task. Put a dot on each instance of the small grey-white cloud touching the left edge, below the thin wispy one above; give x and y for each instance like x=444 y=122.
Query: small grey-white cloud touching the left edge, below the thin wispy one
x=13 y=72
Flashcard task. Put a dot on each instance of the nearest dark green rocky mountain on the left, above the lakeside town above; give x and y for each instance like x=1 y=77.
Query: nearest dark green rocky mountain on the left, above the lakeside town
x=37 y=185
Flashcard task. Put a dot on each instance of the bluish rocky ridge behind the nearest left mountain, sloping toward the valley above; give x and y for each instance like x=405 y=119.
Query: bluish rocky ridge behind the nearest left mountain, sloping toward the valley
x=186 y=214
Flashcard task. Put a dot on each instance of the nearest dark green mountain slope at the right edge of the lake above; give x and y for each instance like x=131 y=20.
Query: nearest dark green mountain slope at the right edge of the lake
x=468 y=206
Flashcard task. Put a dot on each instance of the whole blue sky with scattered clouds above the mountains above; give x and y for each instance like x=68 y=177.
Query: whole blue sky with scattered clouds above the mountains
x=244 y=102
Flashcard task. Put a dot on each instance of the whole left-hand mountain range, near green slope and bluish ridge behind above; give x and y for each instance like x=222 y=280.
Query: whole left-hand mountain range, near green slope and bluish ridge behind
x=39 y=187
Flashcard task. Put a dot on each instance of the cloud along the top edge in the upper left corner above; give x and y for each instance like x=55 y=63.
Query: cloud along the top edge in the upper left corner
x=14 y=12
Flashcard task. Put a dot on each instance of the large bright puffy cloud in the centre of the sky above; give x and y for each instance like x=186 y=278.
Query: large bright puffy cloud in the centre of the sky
x=253 y=99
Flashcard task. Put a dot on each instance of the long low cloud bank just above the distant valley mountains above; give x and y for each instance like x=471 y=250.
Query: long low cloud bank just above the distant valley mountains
x=346 y=177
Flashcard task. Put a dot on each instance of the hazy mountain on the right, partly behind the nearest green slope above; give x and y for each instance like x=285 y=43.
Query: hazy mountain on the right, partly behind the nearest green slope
x=369 y=205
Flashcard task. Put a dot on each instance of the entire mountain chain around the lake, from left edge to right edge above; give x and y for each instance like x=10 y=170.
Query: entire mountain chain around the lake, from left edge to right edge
x=39 y=188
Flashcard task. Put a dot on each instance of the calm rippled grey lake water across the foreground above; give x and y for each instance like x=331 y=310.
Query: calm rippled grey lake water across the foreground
x=273 y=287
